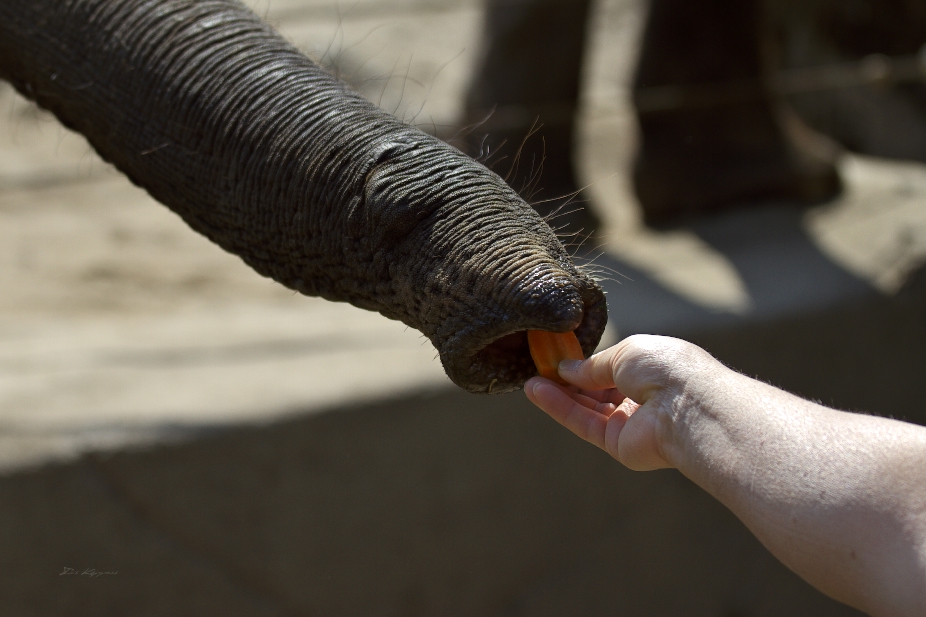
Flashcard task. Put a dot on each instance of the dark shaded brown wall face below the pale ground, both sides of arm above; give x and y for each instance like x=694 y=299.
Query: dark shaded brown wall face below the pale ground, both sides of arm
x=437 y=504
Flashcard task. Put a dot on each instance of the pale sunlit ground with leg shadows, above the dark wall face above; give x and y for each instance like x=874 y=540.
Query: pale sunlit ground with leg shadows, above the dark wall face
x=120 y=325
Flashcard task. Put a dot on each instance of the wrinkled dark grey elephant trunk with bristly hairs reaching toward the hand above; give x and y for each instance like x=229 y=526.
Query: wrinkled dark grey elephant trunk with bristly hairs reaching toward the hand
x=262 y=151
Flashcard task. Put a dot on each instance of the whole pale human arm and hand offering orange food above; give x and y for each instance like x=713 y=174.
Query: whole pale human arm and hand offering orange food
x=840 y=498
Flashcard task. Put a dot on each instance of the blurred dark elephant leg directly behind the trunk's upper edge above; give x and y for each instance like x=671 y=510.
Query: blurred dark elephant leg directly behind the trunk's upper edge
x=523 y=99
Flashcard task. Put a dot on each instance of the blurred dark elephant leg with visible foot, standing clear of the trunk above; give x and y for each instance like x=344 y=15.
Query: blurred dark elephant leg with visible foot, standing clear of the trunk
x=712 y=135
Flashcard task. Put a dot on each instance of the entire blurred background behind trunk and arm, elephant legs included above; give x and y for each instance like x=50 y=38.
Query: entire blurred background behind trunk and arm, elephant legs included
x=227 y=447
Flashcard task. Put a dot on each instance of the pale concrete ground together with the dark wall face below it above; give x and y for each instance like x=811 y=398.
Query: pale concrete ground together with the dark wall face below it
x=229 y=448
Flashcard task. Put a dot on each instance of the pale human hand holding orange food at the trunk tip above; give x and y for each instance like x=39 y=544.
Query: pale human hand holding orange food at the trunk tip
x=622 y=398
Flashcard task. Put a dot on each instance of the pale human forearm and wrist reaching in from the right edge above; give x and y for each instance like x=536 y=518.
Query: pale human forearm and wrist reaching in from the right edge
x=840 y=498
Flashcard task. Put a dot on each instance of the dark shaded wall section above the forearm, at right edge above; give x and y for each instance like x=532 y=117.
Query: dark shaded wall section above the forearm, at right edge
x=868 y=355
